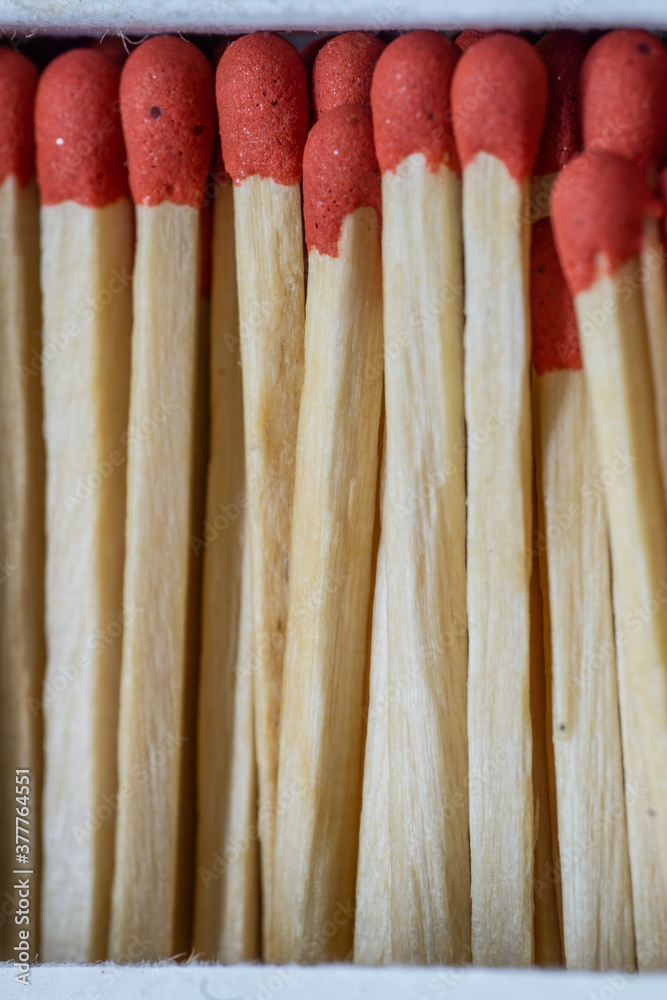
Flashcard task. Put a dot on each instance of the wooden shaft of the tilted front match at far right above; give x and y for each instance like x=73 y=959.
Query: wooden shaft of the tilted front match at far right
x=612 y=327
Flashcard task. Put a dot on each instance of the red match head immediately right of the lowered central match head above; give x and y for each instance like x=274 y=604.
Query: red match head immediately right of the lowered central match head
x=410 y=100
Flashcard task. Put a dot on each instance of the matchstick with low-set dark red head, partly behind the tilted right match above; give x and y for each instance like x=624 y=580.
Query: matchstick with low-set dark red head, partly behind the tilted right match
x=598 y=930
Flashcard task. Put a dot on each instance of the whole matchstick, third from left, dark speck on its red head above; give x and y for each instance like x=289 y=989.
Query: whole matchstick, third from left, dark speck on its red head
x=168 y=111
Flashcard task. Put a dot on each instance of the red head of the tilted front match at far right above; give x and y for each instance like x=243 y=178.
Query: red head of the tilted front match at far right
x=598 y=205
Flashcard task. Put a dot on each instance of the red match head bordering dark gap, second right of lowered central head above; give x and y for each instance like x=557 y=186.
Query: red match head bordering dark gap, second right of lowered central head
x=499 y=96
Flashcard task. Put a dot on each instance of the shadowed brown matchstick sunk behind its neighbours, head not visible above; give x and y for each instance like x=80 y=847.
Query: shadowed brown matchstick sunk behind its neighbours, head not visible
x=227 y=881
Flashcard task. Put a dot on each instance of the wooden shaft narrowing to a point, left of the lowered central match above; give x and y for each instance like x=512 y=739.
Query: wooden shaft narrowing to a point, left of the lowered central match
x=270 y=276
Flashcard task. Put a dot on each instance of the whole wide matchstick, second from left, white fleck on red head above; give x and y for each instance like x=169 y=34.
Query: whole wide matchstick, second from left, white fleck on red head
x=86 y=264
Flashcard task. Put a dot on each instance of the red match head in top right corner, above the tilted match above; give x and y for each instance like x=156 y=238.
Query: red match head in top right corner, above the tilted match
x=624 y=97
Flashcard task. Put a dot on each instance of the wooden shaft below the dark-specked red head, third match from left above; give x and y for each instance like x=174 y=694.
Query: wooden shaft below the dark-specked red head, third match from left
x=152 y=866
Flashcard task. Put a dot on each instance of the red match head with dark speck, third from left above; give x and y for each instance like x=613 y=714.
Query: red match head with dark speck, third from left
x=168 y=107
